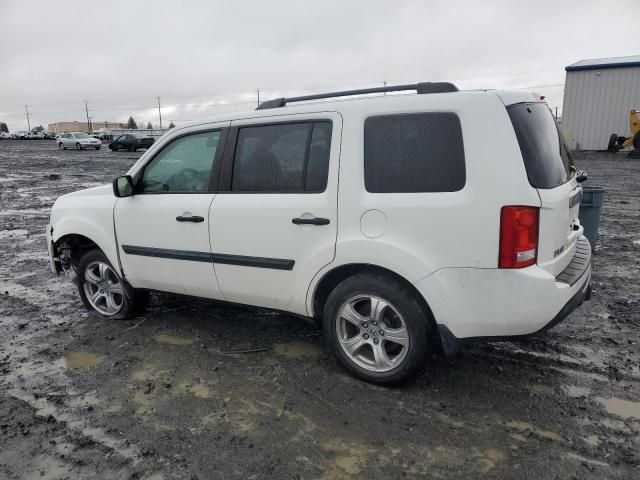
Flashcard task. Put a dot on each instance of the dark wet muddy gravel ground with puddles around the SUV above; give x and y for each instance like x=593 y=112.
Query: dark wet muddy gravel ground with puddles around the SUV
x=164 y=396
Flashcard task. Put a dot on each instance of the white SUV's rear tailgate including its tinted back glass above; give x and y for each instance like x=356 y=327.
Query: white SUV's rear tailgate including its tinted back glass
x=549 y=168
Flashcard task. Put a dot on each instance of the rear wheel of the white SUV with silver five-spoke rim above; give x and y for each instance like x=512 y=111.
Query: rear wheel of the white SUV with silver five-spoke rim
x=403 y=318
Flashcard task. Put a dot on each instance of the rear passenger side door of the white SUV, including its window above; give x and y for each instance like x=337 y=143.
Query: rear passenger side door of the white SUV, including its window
x=274 y=220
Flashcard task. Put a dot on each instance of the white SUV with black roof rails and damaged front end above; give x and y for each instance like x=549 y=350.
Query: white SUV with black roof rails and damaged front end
x=401 y=222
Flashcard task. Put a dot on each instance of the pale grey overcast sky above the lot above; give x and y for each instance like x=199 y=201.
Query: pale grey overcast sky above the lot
x=196 y=55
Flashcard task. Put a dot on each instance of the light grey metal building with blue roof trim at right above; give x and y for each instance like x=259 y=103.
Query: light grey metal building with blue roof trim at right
x=598 y=95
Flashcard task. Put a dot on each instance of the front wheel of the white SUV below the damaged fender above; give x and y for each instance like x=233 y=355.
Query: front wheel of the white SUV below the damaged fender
x=97 y=280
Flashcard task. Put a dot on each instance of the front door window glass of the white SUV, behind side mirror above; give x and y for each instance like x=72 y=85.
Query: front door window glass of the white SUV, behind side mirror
x=183 y=166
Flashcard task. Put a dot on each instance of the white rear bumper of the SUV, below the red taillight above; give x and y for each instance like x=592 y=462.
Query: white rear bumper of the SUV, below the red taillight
x=470 y=303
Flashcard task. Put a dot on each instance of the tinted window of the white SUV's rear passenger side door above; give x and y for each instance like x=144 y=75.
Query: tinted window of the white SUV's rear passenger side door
x=282 y=158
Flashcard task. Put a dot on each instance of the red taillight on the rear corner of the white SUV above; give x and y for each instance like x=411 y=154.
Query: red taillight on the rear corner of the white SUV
x=518 y=237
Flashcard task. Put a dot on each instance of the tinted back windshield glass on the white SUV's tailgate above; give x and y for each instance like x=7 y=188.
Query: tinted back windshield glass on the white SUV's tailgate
x=546 y=158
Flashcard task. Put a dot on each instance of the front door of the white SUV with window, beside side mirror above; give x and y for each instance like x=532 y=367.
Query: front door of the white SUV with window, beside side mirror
x=163 y=229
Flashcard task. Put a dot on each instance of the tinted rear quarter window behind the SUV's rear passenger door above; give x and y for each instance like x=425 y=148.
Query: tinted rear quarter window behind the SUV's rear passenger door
x=421 y=152
